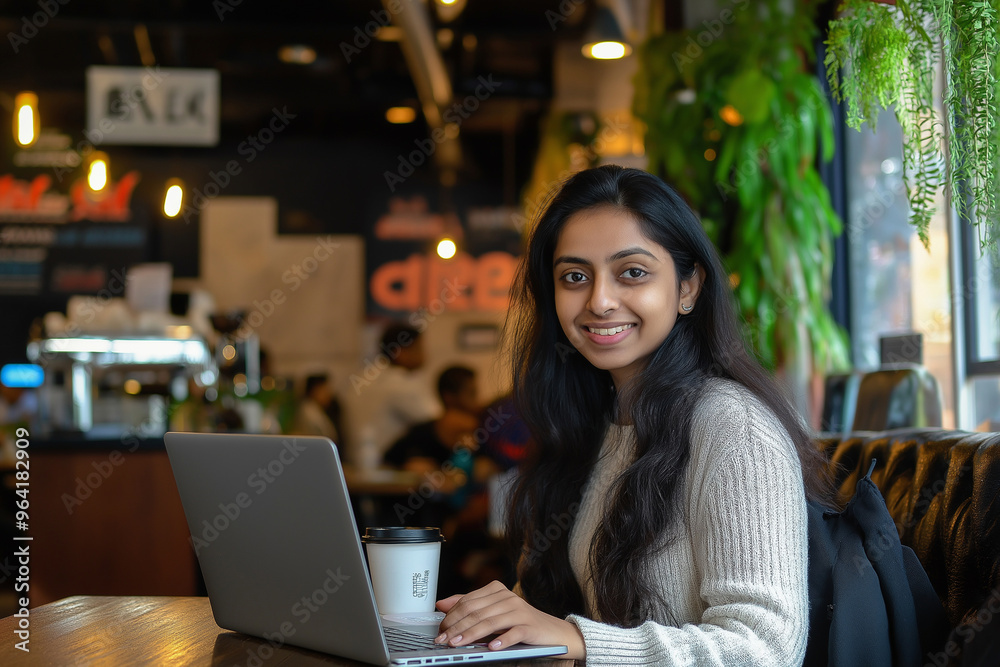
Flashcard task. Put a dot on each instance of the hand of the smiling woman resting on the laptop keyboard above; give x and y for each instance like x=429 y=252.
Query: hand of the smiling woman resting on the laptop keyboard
x=494 y=610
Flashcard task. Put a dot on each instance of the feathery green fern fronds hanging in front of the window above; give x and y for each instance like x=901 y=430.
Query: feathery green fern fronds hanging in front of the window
x=885 y=56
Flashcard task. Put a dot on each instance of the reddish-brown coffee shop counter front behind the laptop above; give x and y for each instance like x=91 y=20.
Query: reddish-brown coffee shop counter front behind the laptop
x=104 y=517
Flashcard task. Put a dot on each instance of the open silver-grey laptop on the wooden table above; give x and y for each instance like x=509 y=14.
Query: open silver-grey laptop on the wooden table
x=273 y=529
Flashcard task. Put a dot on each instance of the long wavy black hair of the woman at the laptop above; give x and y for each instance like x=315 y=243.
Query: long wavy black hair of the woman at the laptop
x=568 y=405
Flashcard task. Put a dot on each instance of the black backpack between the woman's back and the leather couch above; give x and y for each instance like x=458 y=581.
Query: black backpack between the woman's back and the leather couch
x=870 y=601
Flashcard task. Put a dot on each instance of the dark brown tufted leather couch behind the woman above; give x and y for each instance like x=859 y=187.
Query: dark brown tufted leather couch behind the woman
x=942 y=489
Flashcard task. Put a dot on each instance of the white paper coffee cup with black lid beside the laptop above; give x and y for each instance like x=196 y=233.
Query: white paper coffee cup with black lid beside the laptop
x=403 y=562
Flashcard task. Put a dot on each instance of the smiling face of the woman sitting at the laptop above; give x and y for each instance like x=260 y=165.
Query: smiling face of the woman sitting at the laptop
x=616 y=292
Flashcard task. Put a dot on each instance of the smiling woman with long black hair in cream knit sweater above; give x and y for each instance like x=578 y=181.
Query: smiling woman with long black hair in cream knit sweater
x=681 y=470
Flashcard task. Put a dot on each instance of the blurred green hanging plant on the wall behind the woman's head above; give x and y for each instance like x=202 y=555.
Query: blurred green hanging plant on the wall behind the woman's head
x=736 y=129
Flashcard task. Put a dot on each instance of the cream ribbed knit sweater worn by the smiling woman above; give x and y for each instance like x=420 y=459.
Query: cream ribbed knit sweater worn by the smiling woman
x=735 y=579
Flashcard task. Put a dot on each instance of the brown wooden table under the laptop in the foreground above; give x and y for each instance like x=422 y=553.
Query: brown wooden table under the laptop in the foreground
x=98 y=630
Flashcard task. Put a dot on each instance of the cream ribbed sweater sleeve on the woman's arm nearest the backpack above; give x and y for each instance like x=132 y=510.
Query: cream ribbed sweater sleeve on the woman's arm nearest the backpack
x=747 y=522
